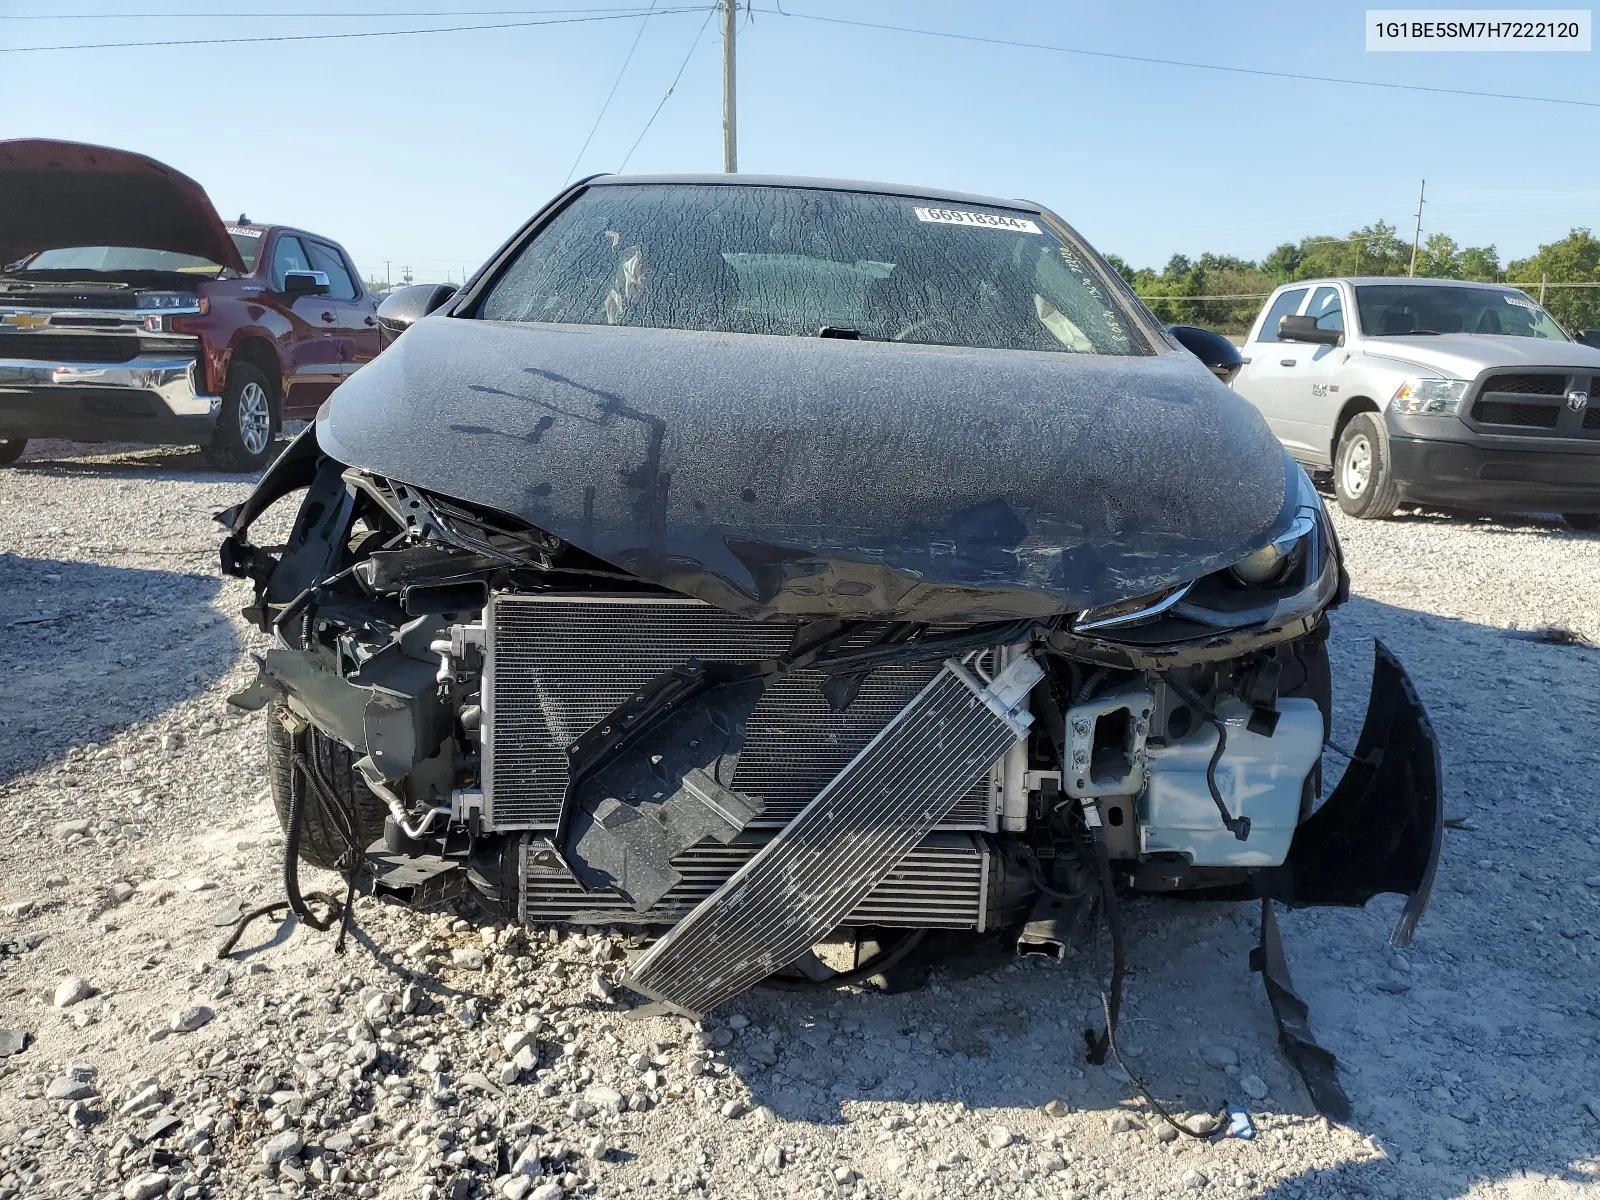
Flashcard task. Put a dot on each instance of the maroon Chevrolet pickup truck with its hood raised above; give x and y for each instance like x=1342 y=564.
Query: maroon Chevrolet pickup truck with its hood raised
x=132 y=313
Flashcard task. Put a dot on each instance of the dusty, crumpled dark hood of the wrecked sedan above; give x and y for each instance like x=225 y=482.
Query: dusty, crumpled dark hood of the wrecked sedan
x=807 y=476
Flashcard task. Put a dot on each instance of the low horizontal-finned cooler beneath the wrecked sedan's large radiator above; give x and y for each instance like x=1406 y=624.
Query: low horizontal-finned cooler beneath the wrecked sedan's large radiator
x=942 y=884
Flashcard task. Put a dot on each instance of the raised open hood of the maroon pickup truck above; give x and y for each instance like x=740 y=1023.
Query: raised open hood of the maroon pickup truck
x=68 y=194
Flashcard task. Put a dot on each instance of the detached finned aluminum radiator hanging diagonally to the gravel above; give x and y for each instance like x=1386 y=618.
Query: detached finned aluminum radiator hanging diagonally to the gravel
x=836 y=852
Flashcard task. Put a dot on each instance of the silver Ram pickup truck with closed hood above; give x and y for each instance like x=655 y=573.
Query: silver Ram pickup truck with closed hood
x=1430 y=393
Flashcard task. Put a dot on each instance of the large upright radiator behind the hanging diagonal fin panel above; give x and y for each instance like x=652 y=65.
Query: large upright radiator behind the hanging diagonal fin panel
x=558 y=665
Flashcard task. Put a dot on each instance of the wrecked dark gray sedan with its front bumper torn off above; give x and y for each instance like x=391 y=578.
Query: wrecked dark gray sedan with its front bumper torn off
x=769 y=561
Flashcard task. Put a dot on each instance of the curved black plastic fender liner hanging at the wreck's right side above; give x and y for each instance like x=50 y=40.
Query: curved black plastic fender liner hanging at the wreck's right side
x=1382 y=828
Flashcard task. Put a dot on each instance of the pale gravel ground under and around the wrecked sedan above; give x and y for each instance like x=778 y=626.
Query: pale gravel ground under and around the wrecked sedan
x=441 y=1060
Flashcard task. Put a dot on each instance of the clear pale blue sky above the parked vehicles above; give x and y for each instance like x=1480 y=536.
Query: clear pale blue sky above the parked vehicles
x=431 y=150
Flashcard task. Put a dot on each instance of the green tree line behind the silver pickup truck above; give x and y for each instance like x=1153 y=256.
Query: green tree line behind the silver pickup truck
x=1177 y=294
